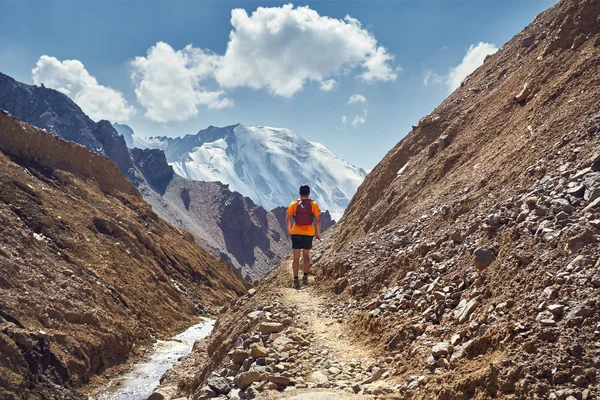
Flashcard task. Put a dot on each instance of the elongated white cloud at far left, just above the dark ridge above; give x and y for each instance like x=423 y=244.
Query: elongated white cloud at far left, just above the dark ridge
x=71 y=78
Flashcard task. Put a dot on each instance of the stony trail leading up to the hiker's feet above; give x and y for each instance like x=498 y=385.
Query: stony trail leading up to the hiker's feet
x=300 y=349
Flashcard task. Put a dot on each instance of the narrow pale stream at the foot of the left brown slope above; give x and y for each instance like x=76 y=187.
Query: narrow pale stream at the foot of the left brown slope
x=141 y=381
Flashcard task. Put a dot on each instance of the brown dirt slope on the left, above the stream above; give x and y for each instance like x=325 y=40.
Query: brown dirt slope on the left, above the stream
x=88 y=273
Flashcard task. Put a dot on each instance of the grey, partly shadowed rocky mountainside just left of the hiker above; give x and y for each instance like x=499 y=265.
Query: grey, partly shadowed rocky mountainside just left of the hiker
x=225 y=223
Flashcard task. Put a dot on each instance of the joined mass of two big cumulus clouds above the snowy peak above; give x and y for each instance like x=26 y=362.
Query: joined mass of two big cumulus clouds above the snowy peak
x=278 y=49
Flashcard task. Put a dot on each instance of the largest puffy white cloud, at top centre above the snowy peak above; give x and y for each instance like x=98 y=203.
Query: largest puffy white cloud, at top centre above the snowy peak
x=281 y=48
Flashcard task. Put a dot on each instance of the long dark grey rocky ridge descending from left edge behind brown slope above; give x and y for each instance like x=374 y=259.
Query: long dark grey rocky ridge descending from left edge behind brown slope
x=149 y=172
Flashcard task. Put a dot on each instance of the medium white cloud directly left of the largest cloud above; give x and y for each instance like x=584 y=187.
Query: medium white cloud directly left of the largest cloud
x=168 y=82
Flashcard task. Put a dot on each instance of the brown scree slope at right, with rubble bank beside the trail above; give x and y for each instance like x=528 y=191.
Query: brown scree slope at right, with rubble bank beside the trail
x=469 y=258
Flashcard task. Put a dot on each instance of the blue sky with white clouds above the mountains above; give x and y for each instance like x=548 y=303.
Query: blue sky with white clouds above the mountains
x=353 y=75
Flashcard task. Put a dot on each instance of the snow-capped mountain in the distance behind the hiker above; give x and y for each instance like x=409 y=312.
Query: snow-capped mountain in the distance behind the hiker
x=266 y=164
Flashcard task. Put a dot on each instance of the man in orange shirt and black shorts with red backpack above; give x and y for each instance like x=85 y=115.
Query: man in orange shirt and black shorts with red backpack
x=306 y=215
